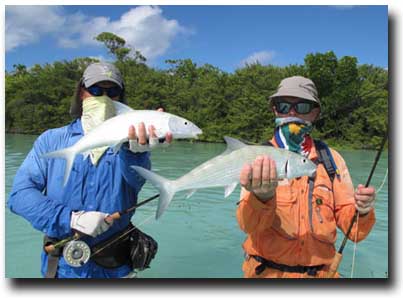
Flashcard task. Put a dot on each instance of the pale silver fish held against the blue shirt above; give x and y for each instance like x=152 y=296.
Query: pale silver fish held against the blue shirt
x=114 y=132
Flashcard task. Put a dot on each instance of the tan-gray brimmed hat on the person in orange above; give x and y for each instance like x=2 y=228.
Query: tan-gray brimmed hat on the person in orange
x=297 y=86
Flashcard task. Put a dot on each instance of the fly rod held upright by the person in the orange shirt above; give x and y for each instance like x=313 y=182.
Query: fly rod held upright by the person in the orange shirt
x=337 y=258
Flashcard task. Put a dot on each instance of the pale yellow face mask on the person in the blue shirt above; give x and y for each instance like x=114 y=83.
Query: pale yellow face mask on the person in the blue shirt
x=95 y=111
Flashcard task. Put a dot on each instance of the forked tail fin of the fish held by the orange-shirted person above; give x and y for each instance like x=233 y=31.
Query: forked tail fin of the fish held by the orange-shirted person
x=166 y=188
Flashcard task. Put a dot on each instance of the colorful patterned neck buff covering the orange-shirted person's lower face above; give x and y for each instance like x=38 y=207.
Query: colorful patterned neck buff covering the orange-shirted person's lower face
x=292 y=134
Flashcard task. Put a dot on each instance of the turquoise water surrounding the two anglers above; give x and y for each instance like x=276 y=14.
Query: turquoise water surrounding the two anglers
x=198 y=237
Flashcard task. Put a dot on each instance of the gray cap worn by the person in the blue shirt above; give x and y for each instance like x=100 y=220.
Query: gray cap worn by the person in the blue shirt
x=102 y=71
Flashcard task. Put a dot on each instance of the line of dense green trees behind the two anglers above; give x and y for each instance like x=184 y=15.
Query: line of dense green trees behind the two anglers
x=354 y=97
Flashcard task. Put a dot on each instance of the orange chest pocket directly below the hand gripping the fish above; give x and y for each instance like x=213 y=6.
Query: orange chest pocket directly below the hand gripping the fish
x=286 y=218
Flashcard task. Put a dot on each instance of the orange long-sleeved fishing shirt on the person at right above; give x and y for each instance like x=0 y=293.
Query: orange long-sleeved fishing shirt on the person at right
x=292 y=230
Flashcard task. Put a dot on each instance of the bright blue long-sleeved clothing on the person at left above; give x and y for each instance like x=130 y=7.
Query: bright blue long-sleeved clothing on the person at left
x=39 y=196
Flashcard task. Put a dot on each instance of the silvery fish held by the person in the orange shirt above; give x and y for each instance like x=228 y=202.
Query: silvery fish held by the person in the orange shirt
x=224 y=170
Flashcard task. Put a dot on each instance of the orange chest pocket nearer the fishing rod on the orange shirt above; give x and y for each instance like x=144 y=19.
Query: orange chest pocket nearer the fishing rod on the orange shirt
x=323 y=222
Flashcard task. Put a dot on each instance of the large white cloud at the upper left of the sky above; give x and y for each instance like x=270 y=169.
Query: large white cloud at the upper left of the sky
x=144 y=28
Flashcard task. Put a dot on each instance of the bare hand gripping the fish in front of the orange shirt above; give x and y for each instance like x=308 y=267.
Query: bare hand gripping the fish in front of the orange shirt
x=260 y=177
